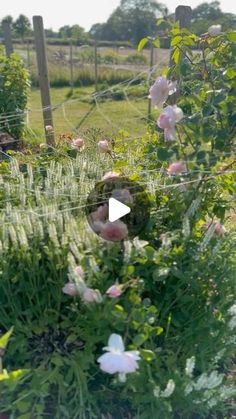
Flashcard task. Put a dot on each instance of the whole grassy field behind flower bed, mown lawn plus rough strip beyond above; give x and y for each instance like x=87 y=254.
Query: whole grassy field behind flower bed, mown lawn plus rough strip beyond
x=118 y=97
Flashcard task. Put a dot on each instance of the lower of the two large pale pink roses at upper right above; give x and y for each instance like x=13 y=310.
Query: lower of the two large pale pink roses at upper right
x=168 y=119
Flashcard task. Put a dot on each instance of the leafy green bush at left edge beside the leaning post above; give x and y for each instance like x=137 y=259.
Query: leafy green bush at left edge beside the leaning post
x=14 y=84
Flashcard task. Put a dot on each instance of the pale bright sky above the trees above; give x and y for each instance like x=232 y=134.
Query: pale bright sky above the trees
x=82 y=12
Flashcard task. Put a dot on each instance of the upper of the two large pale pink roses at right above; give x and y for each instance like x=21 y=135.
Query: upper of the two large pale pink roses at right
x=160 y=90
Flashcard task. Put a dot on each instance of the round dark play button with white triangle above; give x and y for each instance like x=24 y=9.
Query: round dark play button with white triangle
x=118 y=208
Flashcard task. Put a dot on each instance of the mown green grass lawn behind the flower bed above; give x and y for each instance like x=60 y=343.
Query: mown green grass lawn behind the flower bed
x=109 y=116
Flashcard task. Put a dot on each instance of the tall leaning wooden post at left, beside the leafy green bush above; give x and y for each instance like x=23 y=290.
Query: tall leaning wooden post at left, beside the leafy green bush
x=40 y=46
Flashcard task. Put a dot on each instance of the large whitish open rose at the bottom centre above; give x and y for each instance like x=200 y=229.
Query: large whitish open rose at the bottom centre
x=116 y=359
